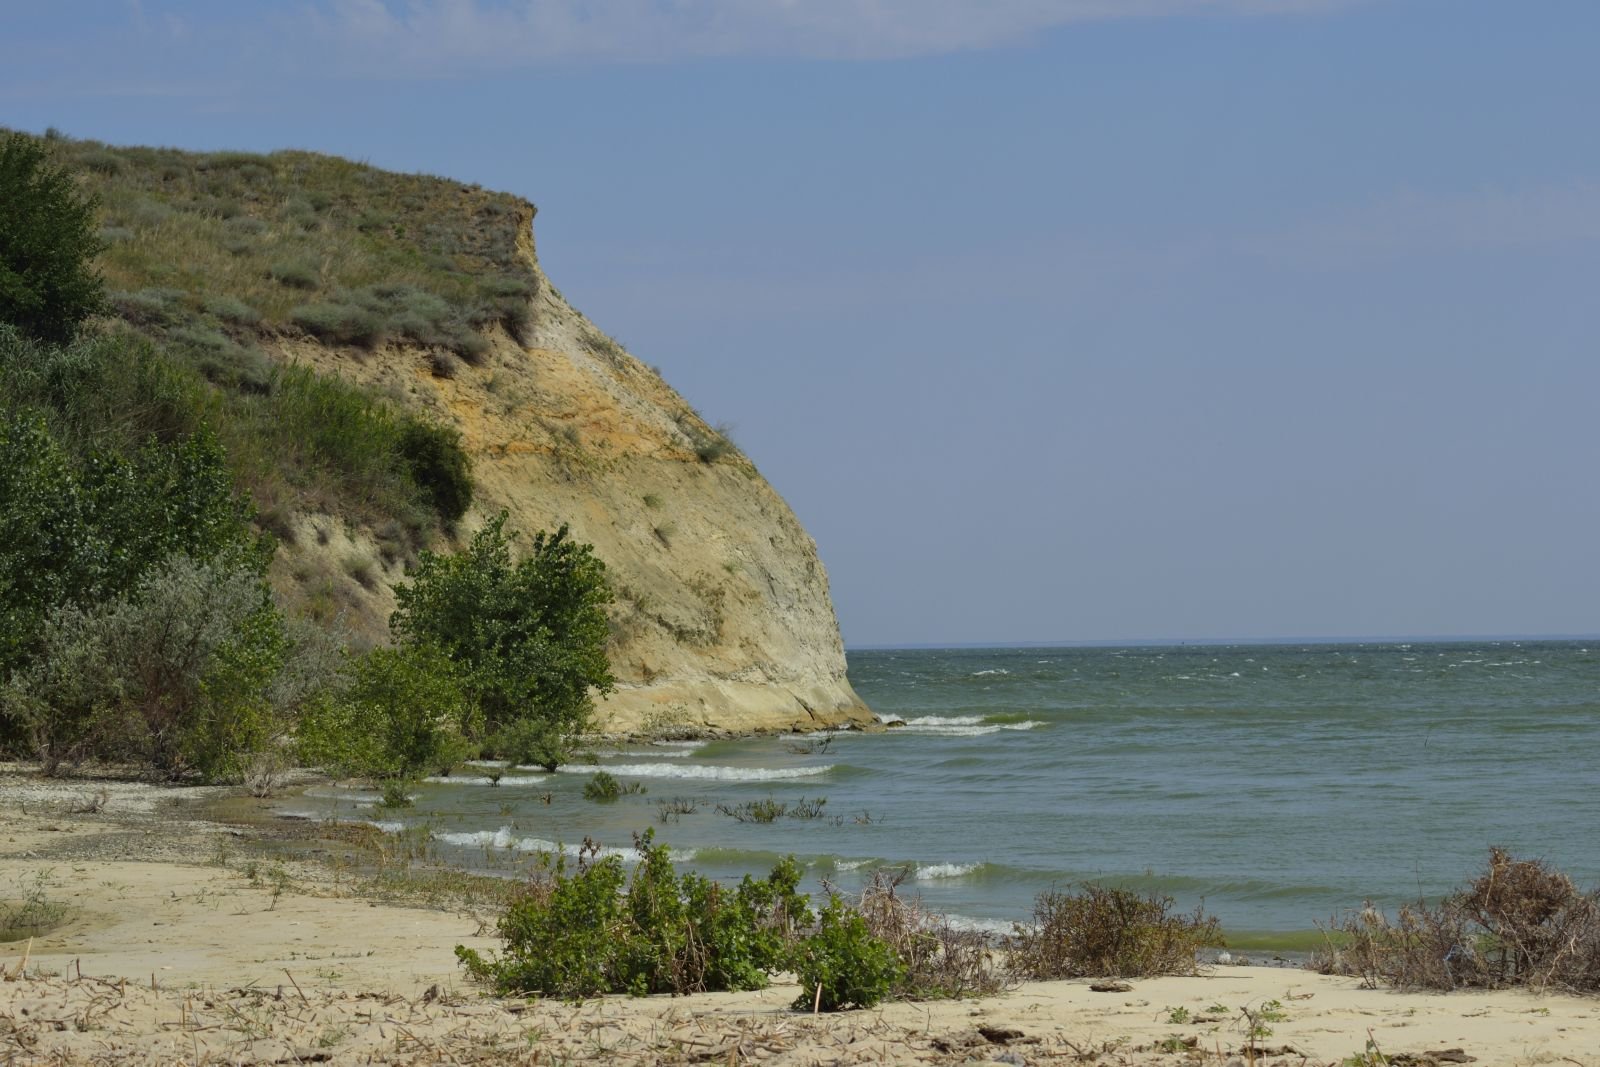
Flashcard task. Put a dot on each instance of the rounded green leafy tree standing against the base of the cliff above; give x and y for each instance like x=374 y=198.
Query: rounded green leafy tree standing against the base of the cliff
x=530 y=636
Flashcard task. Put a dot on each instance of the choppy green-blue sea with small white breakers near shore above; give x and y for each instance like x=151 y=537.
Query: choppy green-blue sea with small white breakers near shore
x=1276 y=786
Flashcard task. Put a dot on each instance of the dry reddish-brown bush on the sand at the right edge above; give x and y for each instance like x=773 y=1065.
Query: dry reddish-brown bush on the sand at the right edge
x=1519 y=924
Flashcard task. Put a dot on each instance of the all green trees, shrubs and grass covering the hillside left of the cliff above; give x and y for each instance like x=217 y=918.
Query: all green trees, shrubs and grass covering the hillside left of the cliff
x=135 y=617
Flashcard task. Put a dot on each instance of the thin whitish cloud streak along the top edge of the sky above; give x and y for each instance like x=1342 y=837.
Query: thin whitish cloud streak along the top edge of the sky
x=518 y=33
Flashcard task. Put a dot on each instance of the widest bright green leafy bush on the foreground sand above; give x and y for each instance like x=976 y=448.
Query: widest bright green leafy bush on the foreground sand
x=582 y=935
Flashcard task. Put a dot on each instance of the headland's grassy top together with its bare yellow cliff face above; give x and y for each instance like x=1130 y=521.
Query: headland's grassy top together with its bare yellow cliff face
x=430 y=294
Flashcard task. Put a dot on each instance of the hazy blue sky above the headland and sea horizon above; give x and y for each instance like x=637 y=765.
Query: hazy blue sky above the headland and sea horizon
x=1055 y=321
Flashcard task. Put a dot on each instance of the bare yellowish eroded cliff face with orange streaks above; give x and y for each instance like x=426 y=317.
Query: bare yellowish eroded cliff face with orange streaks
x=722 y=617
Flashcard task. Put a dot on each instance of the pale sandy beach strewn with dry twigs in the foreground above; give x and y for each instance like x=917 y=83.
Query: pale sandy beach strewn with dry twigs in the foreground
x=186 y=940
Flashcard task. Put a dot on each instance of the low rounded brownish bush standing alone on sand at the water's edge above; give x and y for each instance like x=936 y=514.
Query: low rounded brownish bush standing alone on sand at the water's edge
x=1110 y=932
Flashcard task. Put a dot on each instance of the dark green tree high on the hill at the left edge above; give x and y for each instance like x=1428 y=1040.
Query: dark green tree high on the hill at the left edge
x=47 y=244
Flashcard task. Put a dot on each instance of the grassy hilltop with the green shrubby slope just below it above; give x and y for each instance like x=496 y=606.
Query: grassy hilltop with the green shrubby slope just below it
x=217 y=258
